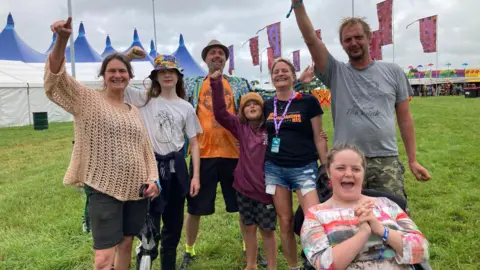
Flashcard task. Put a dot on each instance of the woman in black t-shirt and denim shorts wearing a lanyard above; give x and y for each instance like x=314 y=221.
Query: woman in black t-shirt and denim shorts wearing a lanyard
x=294 y=125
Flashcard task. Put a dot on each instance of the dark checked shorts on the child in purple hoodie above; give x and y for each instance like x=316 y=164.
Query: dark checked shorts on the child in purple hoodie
x=254 y=212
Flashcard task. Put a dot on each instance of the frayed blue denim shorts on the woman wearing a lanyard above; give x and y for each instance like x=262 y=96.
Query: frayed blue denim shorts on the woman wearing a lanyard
x=301 y=178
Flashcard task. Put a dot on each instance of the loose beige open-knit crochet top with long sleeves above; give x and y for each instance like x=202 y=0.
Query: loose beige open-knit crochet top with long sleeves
x=112 y=152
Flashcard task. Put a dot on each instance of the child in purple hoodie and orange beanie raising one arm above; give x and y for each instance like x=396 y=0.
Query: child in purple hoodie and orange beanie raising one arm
x=255 y=205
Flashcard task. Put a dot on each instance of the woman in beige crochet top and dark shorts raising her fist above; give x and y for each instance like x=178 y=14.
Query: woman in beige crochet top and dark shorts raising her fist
x=112 y=156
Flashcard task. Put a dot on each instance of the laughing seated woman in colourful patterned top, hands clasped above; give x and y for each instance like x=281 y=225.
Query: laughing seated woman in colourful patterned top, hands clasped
x=353 y=231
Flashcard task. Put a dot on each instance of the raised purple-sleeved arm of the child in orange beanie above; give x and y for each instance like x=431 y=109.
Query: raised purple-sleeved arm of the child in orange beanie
x=223 y=117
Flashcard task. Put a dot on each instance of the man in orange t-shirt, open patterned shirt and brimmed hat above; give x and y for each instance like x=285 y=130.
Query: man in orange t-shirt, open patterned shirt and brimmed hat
x=218 y=148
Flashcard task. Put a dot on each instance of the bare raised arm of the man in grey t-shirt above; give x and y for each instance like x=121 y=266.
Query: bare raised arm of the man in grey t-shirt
x=317 y=48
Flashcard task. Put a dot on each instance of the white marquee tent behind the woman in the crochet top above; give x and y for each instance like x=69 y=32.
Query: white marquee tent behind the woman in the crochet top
x=22 y=92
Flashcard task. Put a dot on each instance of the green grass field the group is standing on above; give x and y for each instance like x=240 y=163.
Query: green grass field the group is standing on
x=40 y=219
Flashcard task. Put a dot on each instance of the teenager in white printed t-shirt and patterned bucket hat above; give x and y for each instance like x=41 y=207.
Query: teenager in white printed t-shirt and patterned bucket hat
x=169 y=120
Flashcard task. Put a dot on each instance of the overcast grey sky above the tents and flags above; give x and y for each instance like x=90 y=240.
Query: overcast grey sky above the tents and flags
x=235 y=21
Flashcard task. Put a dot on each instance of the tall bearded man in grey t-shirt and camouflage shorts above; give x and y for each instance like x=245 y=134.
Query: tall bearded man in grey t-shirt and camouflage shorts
x=366 y=97
